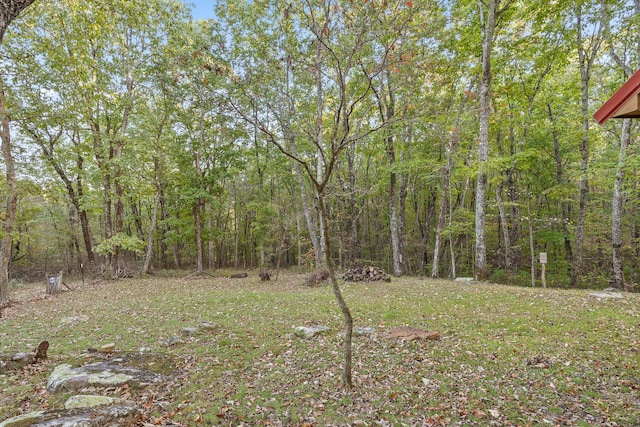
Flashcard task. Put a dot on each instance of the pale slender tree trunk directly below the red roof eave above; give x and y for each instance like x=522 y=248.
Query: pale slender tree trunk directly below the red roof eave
x=618 y=208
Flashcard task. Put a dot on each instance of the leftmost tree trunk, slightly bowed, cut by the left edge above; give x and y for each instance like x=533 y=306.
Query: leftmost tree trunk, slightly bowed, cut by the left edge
x=11 y=199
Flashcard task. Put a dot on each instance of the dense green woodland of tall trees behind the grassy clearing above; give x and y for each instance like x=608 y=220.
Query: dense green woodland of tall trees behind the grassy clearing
x=428 y=138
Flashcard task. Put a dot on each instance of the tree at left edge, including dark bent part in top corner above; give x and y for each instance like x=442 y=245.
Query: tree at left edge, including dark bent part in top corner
x=9 y=10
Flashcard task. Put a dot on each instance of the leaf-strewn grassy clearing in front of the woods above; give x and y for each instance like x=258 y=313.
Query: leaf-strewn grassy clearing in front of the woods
x=507 y=355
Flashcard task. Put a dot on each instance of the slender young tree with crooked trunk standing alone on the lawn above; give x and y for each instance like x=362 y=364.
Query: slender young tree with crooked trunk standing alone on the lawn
x=336 y=35
